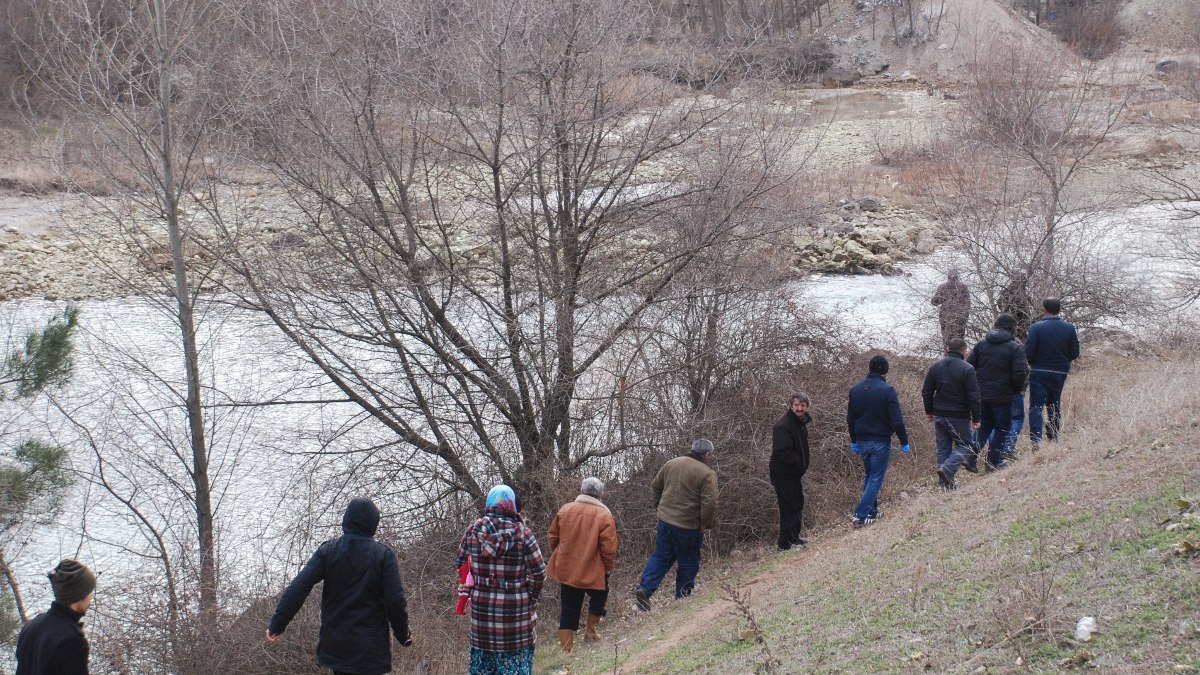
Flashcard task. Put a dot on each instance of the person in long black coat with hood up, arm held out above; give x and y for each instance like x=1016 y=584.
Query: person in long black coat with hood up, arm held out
x=362 y=596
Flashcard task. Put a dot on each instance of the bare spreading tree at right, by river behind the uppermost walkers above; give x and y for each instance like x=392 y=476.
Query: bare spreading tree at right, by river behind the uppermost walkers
x=1011 y=184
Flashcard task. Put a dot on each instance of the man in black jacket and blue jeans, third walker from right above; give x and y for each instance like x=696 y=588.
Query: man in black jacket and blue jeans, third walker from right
x=952 y=403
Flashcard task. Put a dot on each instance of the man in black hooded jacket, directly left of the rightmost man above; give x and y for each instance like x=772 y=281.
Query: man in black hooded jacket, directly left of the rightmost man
x=1001 y=369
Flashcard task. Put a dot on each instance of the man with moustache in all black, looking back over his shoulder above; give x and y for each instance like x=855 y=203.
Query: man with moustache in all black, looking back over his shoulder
x=789 y=462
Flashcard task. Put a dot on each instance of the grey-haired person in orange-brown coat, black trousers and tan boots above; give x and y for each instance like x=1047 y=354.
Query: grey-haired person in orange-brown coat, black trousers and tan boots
x=584 y=545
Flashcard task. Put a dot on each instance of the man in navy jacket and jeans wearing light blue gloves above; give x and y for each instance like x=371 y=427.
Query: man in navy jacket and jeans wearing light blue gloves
x=873 y=416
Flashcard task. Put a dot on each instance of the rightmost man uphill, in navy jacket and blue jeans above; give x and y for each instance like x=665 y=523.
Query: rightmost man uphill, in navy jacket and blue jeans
x=1051 y=348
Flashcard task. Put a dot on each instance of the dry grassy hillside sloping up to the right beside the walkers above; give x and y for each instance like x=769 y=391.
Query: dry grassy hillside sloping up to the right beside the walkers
x=989 y=580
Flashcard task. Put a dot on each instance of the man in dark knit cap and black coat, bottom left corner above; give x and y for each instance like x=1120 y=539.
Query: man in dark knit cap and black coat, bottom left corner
x=53 y=643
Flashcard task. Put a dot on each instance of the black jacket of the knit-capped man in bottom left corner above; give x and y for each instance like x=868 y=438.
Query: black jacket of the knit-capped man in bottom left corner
x=53 y=644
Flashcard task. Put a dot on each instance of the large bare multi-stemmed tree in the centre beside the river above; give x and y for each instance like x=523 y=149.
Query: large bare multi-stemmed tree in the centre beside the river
x=488 y=218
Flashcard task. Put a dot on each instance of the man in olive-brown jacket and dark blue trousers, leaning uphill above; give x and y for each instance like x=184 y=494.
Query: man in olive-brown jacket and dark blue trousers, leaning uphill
x=686 y=499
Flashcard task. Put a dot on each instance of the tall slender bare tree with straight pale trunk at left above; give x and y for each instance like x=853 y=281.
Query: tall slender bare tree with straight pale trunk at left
x=131 y=80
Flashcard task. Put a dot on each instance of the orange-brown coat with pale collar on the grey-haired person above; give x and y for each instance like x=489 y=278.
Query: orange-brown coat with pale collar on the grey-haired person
x=584 y=543
